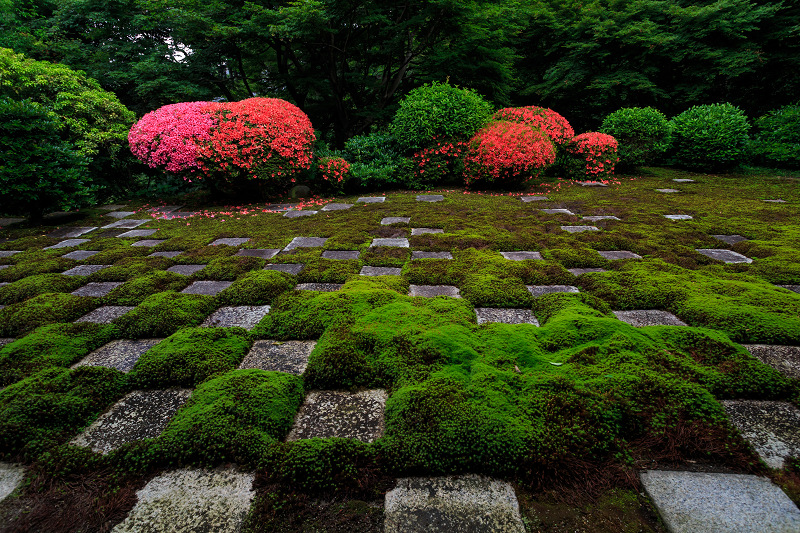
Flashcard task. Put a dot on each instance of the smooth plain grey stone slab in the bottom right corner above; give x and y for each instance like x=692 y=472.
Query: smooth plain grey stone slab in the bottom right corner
x=699 y=502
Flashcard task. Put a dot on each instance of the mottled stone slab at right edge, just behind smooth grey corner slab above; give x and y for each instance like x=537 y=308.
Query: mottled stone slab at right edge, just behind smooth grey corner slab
x=773 y=428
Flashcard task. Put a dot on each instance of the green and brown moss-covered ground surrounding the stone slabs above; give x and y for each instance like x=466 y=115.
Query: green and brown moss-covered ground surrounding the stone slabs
x=567 y=411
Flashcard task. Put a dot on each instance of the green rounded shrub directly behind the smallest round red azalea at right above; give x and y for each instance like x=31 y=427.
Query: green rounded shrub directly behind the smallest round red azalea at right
x=644 y=134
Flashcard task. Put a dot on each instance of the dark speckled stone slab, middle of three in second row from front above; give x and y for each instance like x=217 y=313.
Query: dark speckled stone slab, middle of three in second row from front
x=341 y=414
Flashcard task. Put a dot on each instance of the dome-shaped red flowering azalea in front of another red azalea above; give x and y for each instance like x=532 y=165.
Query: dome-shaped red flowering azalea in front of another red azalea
x=507 y=152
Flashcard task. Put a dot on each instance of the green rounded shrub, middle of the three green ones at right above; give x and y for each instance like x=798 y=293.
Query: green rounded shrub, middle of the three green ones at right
x=710 y=137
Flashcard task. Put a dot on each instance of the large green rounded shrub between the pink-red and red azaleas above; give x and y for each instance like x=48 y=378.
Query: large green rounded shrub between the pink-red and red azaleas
x=438 y=111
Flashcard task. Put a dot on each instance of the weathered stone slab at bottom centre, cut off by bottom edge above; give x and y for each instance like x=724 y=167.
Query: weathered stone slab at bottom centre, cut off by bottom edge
x=468 y=503
